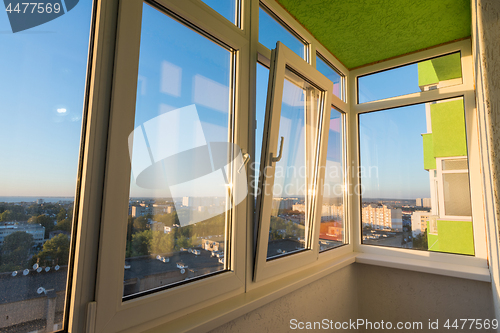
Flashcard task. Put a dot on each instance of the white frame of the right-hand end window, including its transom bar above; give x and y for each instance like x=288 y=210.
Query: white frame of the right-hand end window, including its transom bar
x=462 y=266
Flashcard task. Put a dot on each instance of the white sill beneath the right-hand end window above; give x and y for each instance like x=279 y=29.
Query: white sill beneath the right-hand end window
x=426 y=266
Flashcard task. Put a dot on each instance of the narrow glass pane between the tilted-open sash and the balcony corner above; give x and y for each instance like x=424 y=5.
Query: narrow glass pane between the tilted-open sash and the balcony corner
x=331 y=232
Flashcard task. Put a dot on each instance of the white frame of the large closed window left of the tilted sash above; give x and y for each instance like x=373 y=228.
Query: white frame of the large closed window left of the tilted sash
x=112 y=314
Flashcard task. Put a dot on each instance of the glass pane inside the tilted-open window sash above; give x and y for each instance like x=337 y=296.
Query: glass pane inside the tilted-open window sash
x=294 y=173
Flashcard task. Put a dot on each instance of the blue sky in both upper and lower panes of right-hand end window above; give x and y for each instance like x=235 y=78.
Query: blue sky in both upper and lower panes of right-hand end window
x=390 y=141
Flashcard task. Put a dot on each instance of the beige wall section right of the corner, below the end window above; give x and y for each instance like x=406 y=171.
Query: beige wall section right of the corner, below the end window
x=397 y=295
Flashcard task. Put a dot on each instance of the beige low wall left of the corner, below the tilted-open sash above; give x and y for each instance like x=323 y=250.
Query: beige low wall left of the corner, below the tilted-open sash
x=333 y=297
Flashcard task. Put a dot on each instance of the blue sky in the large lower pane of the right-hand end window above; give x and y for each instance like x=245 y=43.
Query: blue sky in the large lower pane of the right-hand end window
x=392 y=153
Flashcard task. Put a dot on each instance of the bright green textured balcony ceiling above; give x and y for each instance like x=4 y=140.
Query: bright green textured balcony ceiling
x=360 y=32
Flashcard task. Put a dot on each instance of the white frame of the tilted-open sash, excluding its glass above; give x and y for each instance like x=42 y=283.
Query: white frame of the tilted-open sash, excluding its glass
x=281 y=59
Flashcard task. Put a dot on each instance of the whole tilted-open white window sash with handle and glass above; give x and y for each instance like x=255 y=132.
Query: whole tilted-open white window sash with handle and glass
x=294 y=149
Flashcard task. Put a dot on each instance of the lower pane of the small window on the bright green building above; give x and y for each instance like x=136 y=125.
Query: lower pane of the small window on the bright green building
x=457 y=194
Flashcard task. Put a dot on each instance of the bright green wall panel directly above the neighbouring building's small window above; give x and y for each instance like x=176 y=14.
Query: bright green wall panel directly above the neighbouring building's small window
x=448 y=129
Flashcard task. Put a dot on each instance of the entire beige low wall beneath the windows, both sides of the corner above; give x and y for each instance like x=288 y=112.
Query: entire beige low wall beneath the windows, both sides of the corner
x=372 y=293
